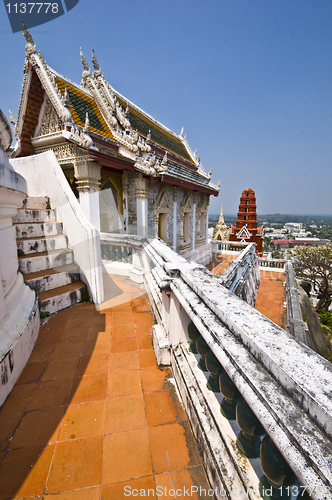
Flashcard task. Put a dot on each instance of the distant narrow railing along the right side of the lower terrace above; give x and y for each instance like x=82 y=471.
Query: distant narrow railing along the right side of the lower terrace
x=295 y=324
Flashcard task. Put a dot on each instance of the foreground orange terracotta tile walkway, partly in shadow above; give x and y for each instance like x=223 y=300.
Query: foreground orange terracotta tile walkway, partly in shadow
x=92 y=413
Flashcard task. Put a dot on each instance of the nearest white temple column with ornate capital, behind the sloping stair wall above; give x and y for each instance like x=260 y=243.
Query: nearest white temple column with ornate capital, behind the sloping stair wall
x=87 y=174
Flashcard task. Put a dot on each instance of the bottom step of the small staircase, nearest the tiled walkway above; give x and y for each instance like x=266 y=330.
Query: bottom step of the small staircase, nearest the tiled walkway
x=61 y=298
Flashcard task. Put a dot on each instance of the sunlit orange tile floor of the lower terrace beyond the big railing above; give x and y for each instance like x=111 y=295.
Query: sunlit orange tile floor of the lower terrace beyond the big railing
x=271 y=297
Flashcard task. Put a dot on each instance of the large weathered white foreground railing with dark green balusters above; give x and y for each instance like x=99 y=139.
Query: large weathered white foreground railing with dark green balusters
x=267 y=395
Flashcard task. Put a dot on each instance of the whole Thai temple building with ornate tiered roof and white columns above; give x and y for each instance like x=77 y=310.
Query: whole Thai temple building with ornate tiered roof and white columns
x=131 y=173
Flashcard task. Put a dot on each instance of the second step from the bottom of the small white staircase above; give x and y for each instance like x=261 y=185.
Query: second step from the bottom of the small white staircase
x=48 y=279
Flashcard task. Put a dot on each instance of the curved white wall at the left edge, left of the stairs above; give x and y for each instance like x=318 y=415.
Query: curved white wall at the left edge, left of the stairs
x=19 y=313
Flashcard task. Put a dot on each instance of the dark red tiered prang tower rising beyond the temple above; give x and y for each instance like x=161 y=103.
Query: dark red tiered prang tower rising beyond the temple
x=246 y=229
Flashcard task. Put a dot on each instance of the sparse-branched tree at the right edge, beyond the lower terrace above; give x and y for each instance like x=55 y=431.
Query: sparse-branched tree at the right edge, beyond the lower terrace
x=314 y=264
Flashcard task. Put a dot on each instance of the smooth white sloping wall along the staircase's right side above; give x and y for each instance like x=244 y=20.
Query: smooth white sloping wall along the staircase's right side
x=45 y=178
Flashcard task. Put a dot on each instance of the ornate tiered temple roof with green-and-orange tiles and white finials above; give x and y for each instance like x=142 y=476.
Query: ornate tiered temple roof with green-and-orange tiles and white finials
x=97 y=118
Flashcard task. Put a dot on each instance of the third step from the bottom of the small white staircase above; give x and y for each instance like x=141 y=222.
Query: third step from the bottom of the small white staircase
x=35 y=262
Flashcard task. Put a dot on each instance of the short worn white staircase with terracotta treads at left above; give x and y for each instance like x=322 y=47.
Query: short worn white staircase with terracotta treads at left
x=46 y=262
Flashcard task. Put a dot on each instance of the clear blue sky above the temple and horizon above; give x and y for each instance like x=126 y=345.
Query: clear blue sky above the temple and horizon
x=249 y=80
